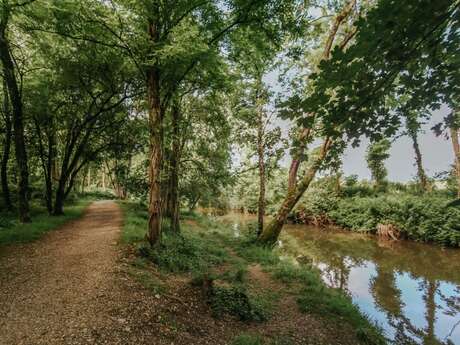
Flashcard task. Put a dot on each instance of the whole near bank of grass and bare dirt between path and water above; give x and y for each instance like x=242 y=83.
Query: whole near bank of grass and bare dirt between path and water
x=216 y=287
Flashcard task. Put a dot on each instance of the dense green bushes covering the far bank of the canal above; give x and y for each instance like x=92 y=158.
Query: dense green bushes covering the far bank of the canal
x=419 y=217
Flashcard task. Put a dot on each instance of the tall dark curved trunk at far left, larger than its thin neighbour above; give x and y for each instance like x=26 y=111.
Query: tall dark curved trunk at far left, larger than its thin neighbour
x=18 y=126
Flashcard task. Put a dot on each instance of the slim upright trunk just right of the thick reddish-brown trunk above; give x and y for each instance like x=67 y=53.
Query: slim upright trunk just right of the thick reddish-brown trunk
x=174 y=170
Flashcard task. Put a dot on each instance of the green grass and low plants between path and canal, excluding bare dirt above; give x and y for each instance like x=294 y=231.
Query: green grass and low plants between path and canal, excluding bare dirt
x=208 y=252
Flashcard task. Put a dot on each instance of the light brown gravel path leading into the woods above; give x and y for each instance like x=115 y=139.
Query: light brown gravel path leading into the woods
x=63 y=289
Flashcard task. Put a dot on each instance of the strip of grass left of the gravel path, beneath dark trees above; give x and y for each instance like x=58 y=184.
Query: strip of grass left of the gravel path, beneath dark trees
x=13 y=232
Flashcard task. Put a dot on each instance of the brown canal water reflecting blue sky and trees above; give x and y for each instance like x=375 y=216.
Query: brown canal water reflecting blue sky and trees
x=412 y=290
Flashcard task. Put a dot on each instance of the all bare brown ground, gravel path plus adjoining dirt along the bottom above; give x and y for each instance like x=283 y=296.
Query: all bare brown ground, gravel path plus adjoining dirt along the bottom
x=75 y=286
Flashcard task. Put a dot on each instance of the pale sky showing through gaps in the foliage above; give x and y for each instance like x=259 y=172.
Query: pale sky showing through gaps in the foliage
x=437 y=152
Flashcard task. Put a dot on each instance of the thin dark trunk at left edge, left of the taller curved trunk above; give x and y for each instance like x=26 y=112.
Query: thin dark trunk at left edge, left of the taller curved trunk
x=6 y=150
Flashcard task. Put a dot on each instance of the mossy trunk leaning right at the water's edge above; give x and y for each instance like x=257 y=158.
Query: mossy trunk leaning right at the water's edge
x=270 y=234
